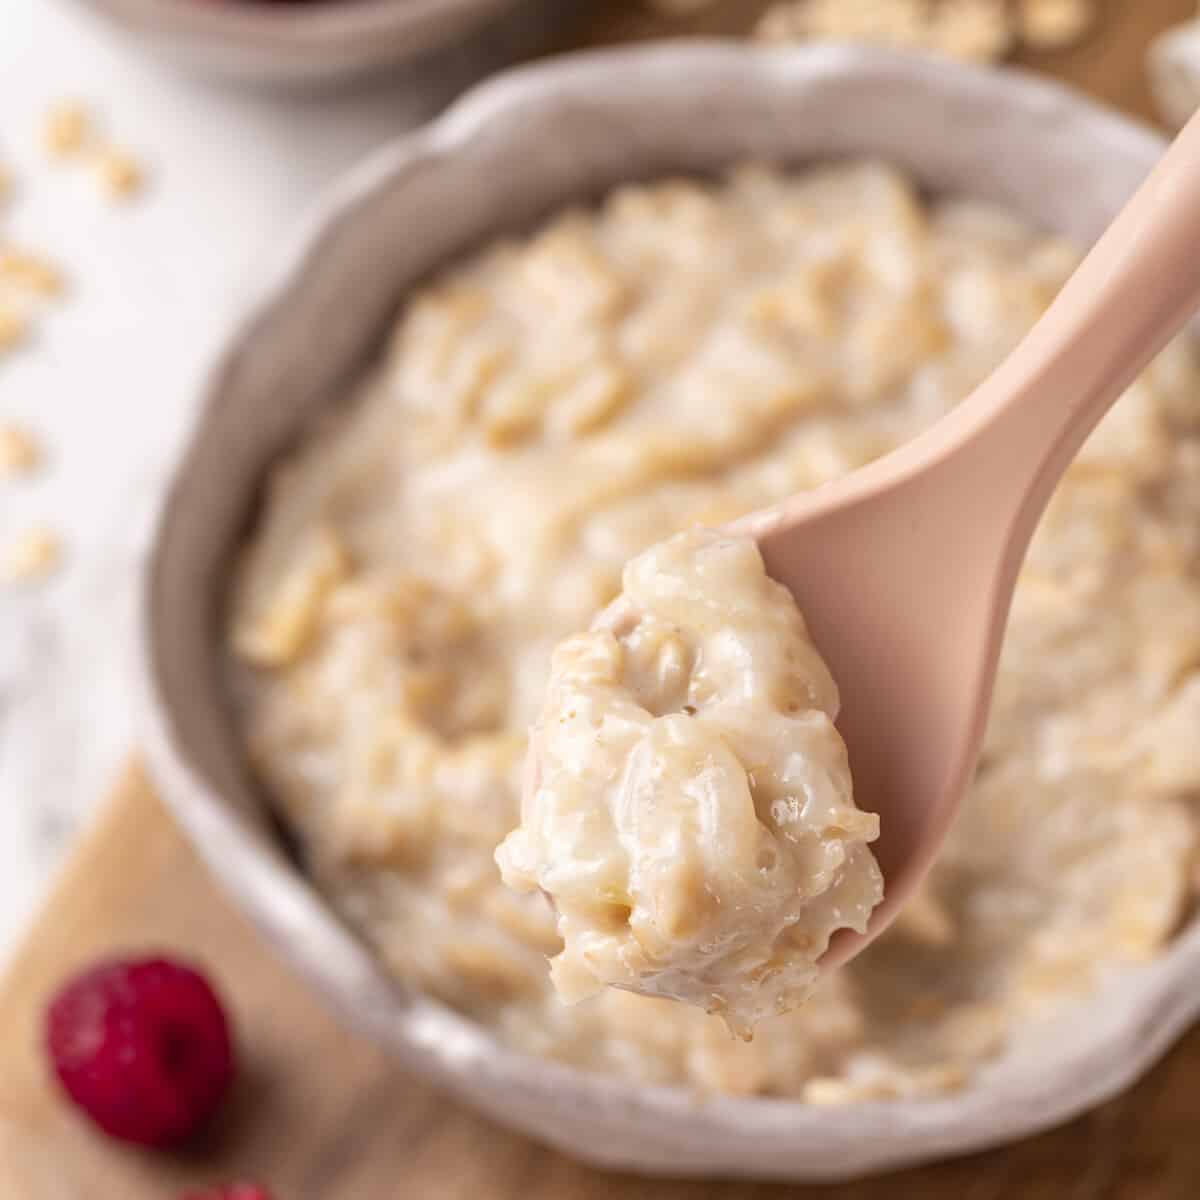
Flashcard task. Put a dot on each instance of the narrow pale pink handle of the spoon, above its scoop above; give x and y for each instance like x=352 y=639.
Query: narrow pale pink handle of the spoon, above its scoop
x=1133 y=292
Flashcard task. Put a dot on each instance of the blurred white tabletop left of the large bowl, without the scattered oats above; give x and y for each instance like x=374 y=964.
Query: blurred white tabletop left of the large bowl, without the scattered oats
x=110 y=381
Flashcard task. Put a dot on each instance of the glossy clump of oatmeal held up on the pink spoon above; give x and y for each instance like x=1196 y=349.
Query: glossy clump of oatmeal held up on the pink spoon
x=693 y=820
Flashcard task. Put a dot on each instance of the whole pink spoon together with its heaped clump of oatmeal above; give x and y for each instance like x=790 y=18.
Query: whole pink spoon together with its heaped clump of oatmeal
x=688 y=806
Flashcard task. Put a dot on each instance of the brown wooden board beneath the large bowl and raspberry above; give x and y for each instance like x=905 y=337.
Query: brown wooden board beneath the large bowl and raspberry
x=321 y=1115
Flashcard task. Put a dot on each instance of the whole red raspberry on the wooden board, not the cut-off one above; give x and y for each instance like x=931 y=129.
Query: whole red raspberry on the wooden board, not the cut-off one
x=143 y=1048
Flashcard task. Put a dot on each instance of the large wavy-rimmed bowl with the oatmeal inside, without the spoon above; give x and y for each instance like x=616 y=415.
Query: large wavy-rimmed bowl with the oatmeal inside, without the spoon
x=601 y=303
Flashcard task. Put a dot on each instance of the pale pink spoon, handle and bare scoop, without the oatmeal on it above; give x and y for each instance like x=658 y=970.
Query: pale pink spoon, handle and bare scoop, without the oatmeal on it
x=905 y=569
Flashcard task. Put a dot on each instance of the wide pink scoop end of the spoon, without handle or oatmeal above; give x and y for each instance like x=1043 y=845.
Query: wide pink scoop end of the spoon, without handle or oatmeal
x=907 y=597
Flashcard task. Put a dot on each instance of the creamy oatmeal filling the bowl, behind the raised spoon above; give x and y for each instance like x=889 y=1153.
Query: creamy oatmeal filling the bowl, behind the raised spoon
x=681 y=356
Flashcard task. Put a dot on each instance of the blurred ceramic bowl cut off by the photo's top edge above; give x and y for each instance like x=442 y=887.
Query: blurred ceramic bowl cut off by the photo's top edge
x=273 y=43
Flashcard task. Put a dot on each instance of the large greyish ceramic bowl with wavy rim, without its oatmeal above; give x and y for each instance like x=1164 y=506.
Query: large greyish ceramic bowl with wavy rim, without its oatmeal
x=514 y=151
